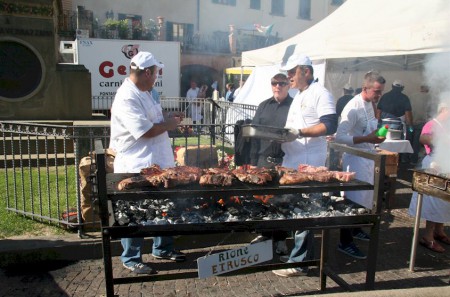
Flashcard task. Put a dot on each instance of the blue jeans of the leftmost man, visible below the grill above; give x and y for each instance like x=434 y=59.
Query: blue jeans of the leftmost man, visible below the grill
x=132 y=248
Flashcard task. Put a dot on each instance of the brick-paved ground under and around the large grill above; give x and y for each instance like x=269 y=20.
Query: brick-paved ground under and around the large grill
x=85 y=277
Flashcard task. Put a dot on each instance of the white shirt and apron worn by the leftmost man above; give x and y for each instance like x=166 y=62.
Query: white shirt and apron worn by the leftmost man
x=132 y=114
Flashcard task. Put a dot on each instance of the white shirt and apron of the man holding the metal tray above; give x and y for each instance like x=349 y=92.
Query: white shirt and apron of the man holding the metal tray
x=305 y=111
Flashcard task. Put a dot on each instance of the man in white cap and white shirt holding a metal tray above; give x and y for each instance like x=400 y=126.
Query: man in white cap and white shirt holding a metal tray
x=311 y=117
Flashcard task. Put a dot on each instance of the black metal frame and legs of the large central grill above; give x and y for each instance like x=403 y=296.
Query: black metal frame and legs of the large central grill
x=324 y=224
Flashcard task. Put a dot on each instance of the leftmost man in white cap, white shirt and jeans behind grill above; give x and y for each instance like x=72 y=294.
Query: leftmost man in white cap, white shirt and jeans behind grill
x=139 y=138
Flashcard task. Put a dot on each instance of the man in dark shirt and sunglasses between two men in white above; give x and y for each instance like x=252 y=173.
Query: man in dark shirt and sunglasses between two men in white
x=271 y=112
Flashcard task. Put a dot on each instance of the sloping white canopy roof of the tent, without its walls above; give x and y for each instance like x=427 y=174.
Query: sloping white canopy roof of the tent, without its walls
x=367 y=28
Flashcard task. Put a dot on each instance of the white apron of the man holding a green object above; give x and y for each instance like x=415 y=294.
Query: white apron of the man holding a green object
x=364 y=169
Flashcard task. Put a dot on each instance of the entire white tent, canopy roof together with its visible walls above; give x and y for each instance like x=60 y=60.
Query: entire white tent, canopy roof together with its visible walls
x=391 y=36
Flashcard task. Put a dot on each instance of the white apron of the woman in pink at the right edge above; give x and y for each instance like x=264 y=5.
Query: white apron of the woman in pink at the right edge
x=433 y=209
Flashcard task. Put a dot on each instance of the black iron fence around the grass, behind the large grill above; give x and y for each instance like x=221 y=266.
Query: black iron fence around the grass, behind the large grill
x=41 y=161
